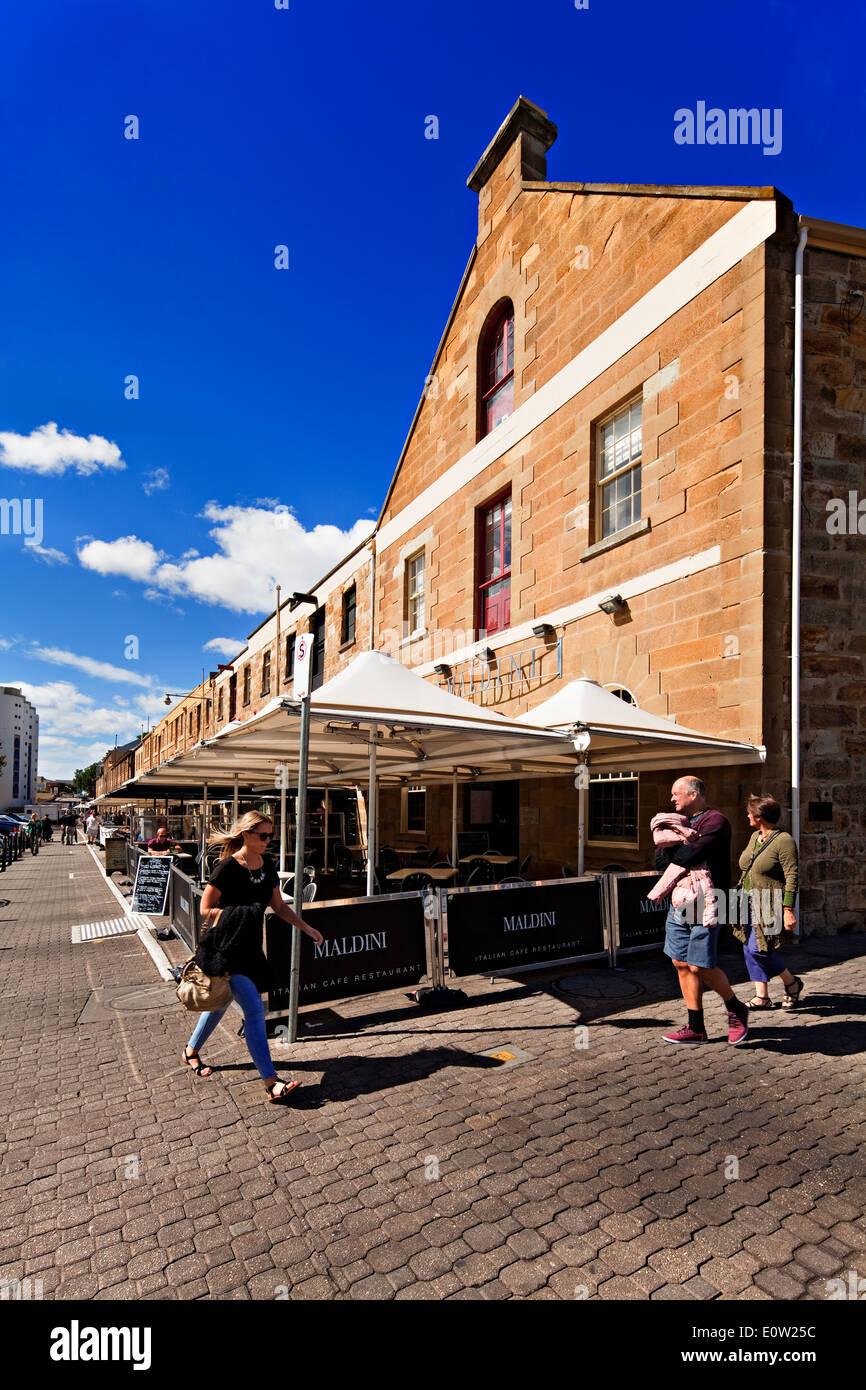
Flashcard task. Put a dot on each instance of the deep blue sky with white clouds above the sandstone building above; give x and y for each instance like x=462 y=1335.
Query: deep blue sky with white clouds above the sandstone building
x=262 y=387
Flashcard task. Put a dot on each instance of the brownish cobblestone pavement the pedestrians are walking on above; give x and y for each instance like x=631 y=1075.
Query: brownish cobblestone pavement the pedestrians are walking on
x=412 y=1166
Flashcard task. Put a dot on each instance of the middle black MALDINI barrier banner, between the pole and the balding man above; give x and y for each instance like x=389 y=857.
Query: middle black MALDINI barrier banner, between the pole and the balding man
x=501 y=929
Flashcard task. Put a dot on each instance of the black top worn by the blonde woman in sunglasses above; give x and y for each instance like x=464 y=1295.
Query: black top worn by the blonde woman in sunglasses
x=234 y=946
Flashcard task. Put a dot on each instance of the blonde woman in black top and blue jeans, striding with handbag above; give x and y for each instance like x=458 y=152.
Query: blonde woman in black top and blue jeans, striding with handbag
x=241 y=888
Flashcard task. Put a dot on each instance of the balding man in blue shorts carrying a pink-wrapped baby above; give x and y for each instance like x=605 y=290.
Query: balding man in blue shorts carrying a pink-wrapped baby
x=694 y=947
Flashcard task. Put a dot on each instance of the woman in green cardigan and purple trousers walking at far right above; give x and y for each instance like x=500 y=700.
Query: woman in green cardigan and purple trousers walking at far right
x=769 y=878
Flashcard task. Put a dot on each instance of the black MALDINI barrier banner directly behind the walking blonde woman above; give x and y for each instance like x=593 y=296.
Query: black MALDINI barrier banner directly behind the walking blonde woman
x=369 y=947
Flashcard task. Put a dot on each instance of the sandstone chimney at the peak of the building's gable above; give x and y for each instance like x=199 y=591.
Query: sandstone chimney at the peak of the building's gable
x=515 y=156
